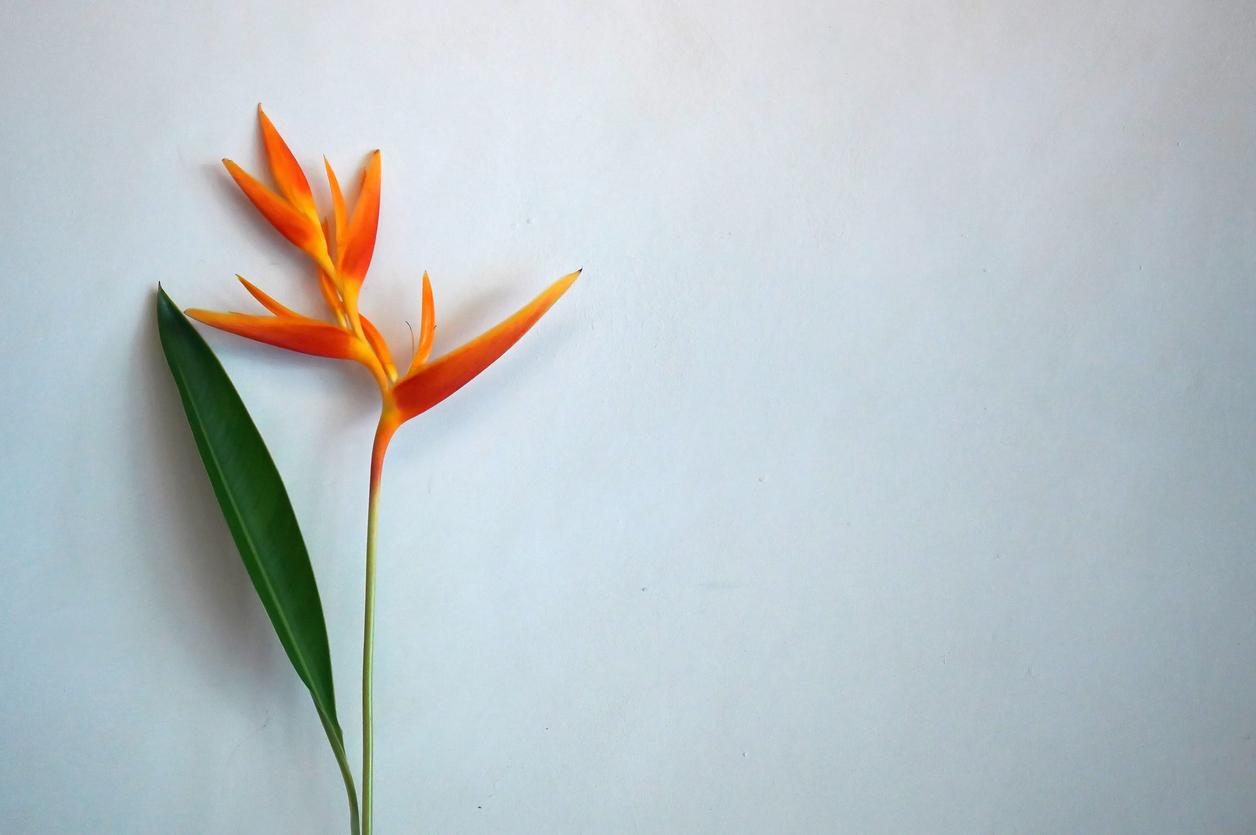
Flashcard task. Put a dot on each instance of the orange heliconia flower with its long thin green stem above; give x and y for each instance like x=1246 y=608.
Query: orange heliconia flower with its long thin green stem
x=341 y=248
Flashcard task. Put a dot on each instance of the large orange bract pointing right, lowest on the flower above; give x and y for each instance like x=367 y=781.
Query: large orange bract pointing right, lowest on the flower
x=436 y=381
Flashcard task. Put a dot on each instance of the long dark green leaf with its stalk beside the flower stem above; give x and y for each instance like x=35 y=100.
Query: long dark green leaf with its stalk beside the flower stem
x=258 y=512
